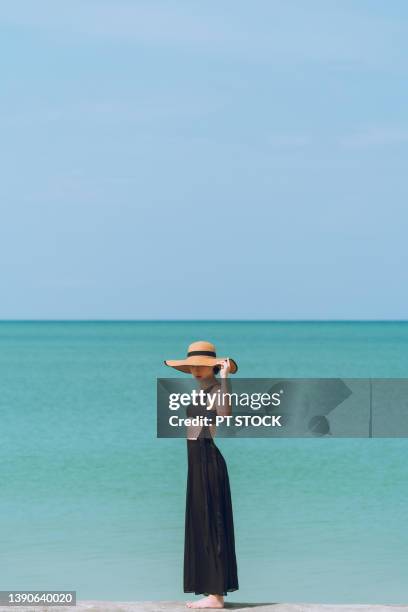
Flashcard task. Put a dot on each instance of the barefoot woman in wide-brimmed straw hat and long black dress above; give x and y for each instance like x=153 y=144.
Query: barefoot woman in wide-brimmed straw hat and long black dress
x=210 y=566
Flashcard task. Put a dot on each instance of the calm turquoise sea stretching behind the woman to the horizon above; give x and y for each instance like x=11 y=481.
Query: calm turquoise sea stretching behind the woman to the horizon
x=92 y=501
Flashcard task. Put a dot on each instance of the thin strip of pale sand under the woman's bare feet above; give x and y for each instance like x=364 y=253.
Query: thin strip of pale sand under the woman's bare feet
x=178 y=606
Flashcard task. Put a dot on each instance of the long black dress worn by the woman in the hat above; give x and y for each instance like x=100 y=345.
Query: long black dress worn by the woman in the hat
x=210 y=565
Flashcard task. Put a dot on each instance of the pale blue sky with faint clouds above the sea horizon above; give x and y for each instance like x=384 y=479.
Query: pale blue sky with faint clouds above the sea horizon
x=186 y=160
